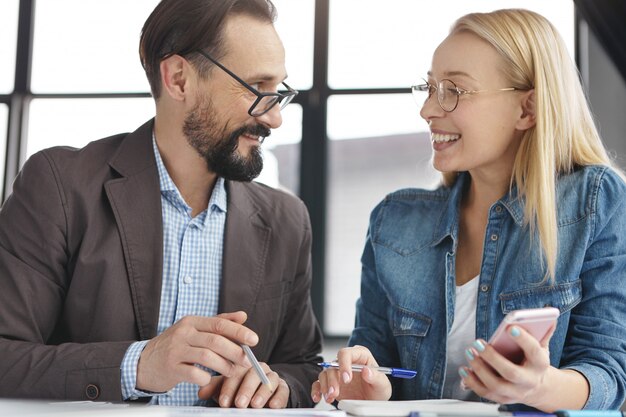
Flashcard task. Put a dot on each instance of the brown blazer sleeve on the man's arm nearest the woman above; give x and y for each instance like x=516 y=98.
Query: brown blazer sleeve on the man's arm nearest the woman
x=296 y=353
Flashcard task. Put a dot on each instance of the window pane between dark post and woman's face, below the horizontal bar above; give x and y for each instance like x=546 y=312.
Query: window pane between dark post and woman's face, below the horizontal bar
x=366 y=162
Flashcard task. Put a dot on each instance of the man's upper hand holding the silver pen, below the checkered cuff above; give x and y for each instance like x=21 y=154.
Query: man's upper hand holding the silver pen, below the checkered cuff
x=212 y=342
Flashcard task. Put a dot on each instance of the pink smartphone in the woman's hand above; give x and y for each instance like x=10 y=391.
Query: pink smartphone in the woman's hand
x=536 y=321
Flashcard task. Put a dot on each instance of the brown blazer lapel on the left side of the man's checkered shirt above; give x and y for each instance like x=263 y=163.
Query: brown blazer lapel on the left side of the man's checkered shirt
x=136 y=202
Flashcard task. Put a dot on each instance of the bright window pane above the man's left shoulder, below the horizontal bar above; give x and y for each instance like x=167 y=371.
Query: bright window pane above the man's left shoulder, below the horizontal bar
x=76 y=122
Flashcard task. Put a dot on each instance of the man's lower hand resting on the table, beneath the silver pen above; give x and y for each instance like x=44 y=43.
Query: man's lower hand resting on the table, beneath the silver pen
x=244 y=389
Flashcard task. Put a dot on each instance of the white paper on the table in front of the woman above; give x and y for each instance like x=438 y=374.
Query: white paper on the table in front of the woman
x=404 y=408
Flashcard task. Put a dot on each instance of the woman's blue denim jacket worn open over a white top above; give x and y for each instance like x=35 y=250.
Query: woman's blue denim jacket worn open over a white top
x=406 y=306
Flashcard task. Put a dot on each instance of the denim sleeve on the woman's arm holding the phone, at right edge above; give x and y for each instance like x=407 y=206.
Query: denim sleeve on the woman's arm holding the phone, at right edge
x=596 y=340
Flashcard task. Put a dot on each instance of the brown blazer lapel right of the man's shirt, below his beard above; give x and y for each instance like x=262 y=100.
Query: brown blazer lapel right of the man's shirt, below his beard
x=246 y=245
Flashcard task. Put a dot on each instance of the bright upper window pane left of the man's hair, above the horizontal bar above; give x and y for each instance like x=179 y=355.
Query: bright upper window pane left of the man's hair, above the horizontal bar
x=89 y=46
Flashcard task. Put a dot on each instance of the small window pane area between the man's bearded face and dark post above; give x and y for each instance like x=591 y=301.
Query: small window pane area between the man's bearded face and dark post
x=281 y=152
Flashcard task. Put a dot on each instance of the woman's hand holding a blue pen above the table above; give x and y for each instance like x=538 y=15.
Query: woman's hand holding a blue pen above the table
x=343 y=383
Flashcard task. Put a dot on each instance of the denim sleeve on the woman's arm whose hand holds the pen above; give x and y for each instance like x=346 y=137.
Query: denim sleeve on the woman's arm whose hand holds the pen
x=372 y=328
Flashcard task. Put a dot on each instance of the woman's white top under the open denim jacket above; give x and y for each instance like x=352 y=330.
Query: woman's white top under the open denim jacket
x=461 y=336
